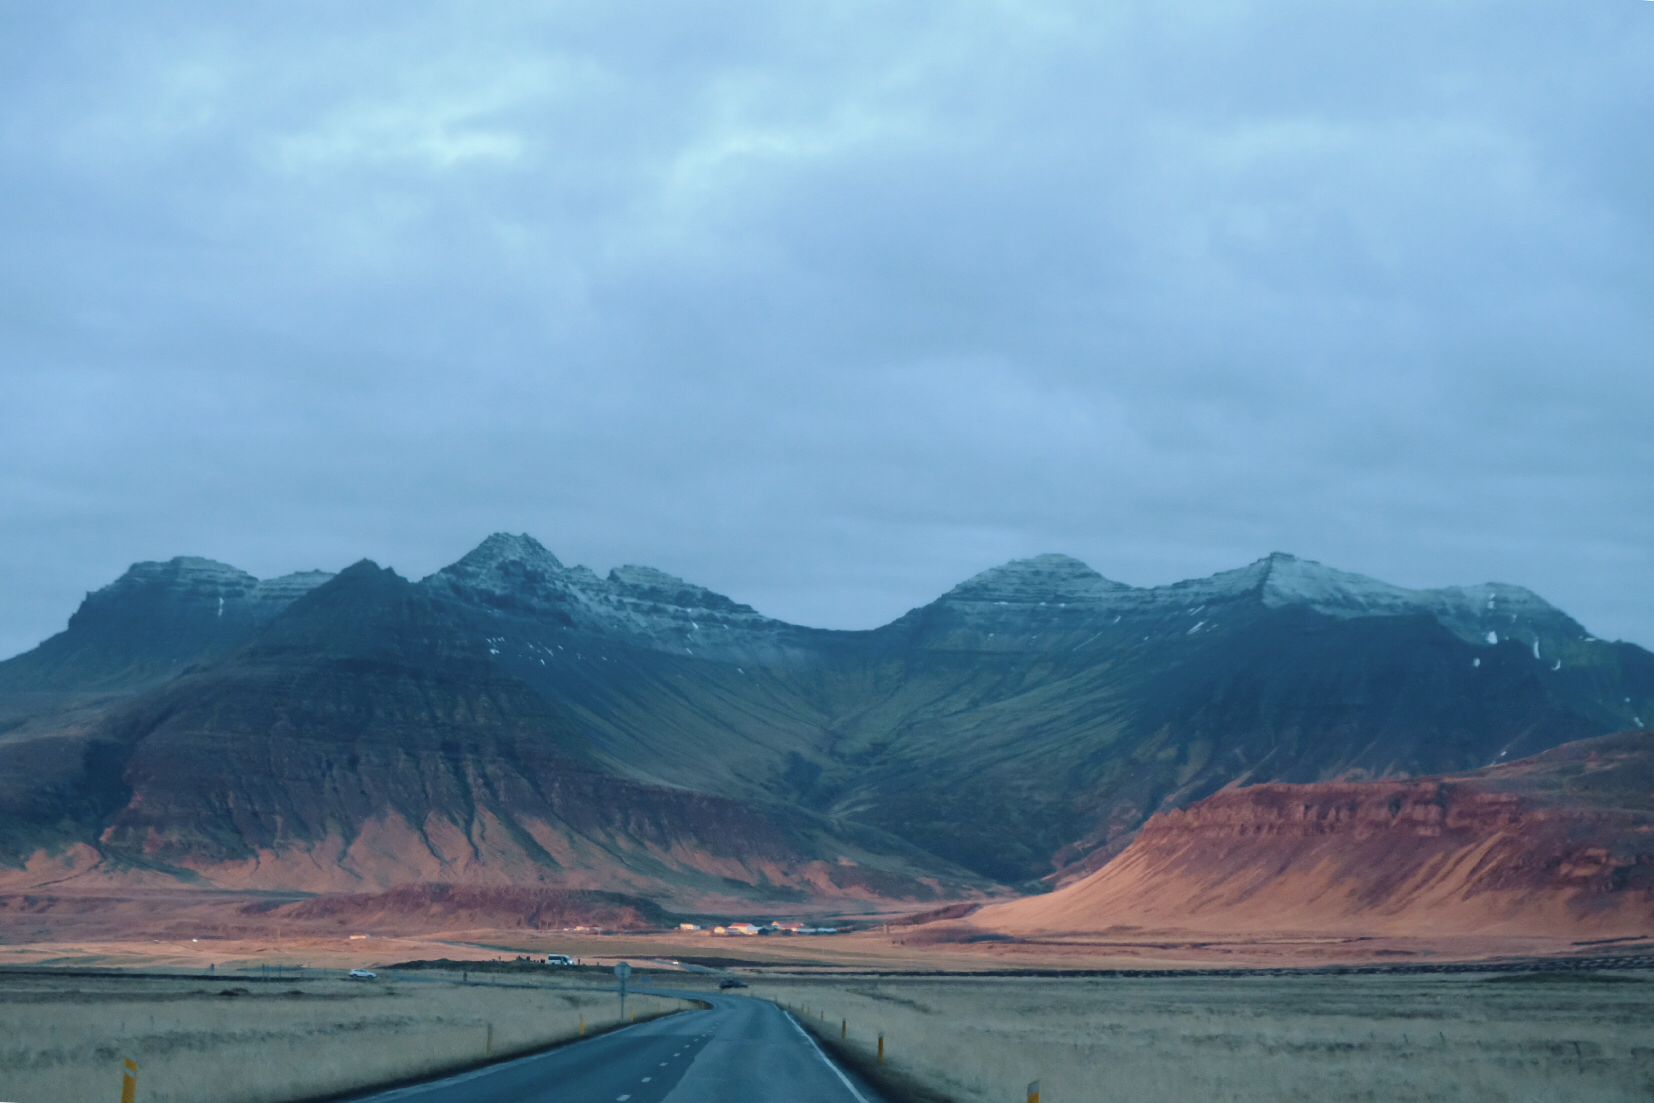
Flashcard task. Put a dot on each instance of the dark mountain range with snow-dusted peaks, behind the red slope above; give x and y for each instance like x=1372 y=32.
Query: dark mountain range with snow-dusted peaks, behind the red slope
x=512 y=720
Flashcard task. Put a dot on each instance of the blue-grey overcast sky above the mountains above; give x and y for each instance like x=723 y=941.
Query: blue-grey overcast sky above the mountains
x=831 y=305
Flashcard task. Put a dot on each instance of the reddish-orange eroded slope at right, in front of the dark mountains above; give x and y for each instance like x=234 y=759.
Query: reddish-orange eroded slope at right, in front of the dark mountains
x=1551 y=846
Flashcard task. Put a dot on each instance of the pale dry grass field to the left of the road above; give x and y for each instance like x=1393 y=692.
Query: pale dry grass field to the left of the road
x=229 y=1039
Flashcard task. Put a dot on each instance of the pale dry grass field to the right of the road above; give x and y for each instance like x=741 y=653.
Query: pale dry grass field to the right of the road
x=1324 y=1039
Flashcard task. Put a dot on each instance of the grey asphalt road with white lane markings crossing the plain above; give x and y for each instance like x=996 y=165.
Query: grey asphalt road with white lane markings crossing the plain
x=743 y=1051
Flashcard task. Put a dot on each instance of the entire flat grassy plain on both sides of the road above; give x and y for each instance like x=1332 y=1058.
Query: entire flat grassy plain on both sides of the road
x=234 y=1038
